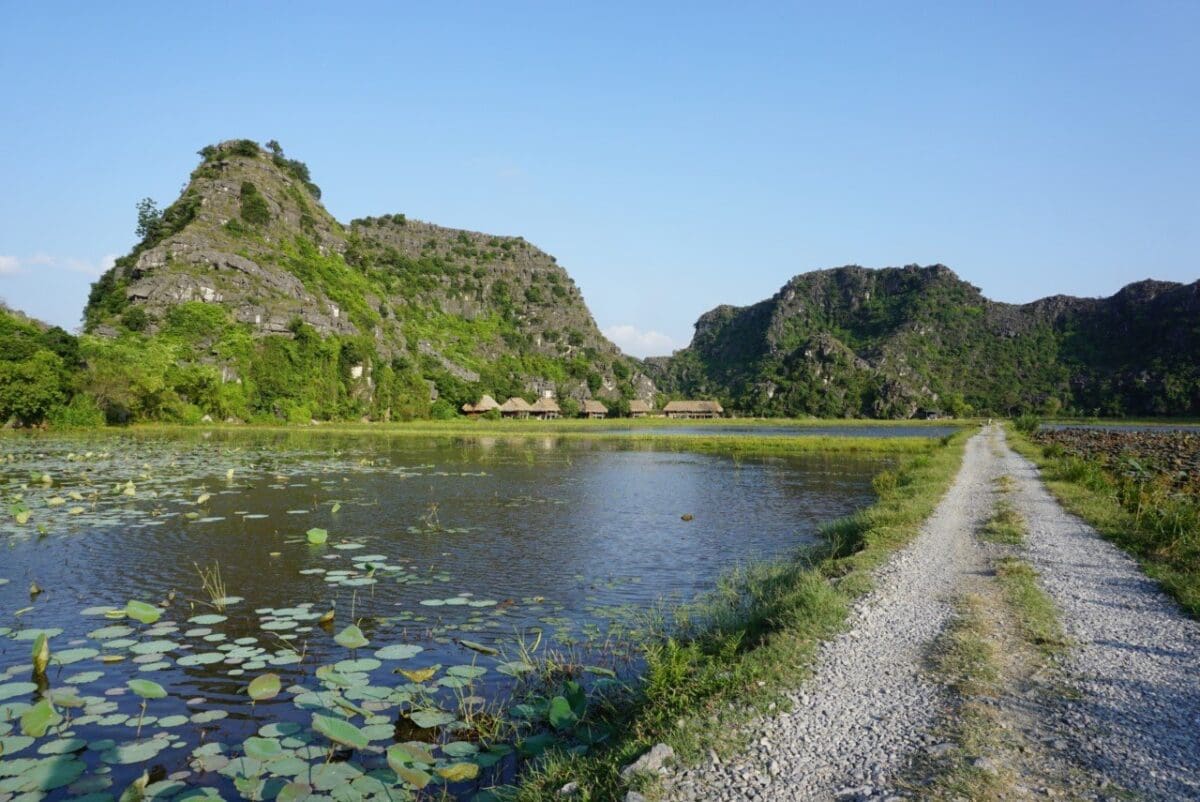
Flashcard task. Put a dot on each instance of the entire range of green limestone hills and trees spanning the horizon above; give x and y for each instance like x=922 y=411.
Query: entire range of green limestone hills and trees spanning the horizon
x=245 y=300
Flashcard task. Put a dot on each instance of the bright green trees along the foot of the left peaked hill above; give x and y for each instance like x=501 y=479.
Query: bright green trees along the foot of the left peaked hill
x=199 y=364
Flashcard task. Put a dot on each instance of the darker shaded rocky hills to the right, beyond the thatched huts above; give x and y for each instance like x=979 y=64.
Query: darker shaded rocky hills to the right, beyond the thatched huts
x=907 y=342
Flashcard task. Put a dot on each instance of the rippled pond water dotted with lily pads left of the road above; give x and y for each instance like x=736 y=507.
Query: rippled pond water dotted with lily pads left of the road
x=430 y=544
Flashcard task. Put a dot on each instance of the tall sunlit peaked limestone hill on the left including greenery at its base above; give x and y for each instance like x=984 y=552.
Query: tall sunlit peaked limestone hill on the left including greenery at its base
x=247 y=300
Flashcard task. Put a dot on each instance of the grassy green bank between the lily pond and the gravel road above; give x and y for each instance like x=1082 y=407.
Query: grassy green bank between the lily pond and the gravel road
x=737 y=653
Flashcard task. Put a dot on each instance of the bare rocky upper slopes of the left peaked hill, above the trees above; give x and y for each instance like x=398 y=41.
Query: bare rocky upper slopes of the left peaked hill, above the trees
x=469 y=313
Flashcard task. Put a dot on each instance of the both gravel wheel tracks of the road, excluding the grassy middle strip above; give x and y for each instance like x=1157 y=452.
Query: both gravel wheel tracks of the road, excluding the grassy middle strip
x=871 y=707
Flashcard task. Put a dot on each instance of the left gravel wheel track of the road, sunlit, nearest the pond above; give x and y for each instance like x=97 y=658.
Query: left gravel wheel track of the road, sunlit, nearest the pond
x=869 y=705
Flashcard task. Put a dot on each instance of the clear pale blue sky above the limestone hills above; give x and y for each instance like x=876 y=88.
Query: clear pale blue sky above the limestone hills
x=673 y=157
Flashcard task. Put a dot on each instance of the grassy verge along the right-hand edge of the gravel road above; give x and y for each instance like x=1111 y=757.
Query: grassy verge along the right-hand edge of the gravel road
x=1157 y=526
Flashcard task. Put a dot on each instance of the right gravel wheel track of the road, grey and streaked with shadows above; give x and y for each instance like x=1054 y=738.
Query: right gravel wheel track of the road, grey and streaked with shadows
x=1137 y=656
